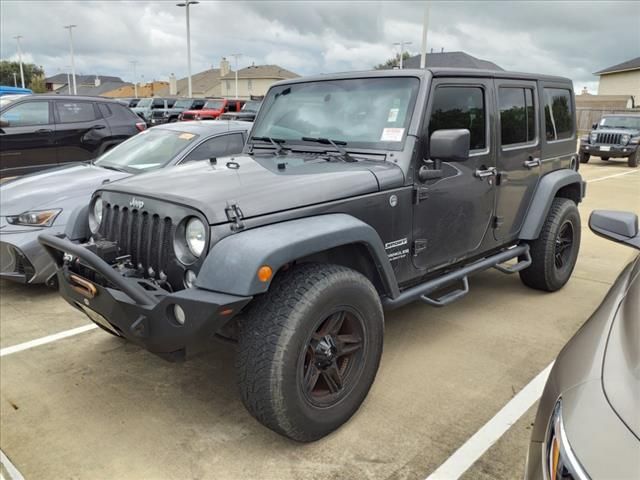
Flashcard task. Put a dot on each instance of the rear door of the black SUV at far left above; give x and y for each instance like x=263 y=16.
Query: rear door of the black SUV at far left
x=80 y=130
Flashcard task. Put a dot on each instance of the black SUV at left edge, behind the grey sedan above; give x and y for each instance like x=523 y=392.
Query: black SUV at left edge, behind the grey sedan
x=42 y=131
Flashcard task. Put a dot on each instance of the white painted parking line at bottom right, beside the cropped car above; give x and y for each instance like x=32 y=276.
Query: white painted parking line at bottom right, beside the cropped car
x=481 y=441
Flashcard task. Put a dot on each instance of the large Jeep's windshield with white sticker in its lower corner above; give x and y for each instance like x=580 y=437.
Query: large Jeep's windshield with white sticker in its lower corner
x=364 y=112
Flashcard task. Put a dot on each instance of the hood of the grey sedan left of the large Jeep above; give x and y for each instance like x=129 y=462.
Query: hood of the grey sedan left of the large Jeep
x=57 y=187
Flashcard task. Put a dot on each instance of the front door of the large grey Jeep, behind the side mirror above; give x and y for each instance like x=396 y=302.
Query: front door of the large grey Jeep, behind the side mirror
x=453 y=213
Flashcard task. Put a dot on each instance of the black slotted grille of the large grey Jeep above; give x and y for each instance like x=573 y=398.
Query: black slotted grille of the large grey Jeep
x=144 y=235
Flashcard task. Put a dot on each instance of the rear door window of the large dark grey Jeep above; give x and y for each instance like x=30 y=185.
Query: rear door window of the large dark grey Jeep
x=517 y=115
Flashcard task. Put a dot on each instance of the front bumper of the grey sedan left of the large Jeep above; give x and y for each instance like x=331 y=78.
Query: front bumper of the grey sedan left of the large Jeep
x=22 y=258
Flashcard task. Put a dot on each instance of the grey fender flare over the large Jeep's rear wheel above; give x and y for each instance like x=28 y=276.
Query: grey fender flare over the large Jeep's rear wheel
x=545 y=193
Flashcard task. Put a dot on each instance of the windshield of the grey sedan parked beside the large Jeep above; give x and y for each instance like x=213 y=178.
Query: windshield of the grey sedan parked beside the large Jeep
x=148 y=150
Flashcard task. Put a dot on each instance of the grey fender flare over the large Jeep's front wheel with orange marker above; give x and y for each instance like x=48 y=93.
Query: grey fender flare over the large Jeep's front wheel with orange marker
x=232 y=264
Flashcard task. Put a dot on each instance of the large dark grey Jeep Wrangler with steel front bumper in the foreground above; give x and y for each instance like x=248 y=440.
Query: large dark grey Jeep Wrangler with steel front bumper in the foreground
x=356 y=193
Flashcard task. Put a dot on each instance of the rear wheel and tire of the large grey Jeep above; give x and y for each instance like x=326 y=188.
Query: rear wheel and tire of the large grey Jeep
x=555 y=251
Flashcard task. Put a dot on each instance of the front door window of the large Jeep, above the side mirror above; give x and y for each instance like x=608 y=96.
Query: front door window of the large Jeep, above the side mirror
x=460 y=107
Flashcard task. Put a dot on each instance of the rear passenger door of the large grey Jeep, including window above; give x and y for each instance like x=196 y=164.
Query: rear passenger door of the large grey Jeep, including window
x=519 y=159
